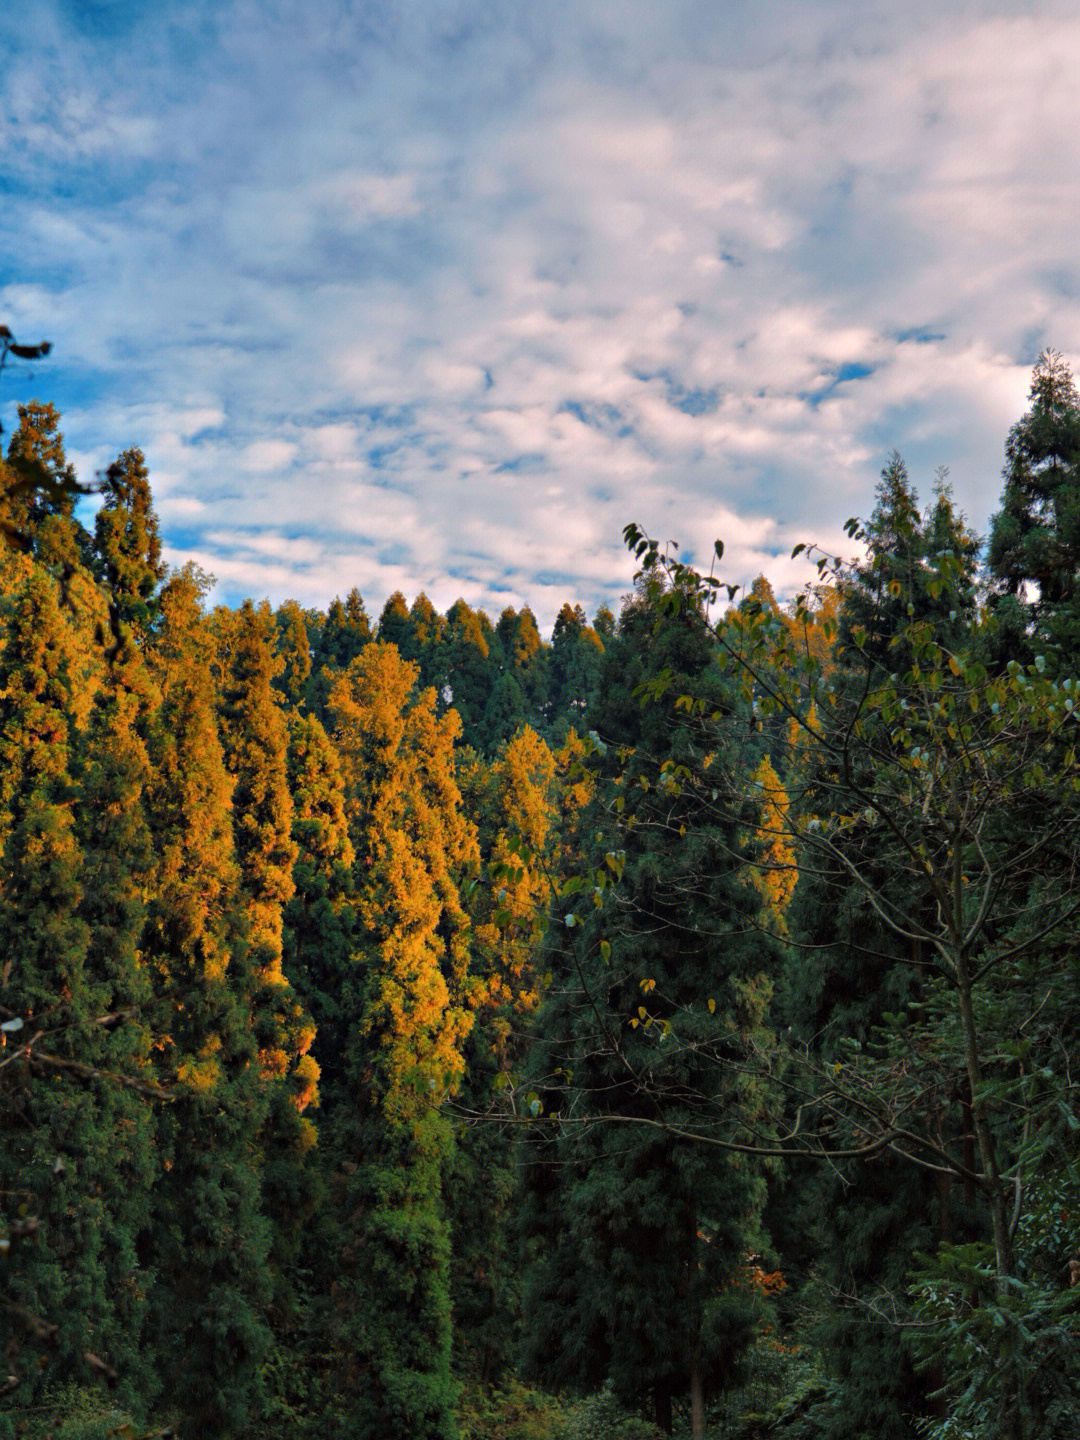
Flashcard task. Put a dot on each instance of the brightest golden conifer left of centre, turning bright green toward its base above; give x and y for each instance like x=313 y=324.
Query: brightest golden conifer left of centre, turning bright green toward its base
x=405 y=1029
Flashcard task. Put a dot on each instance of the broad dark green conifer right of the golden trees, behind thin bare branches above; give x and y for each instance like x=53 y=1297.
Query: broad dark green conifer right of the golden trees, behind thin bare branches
x=665 y=989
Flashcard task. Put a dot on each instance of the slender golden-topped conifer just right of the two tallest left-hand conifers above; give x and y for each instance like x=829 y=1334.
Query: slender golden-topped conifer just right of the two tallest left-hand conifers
x=211 y=1241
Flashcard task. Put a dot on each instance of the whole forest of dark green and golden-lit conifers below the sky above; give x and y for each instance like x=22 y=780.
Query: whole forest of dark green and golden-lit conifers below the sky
x=415 y=1029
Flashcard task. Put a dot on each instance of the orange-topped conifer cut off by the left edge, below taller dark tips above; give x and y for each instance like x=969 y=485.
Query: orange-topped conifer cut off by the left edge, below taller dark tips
x=50 y=1118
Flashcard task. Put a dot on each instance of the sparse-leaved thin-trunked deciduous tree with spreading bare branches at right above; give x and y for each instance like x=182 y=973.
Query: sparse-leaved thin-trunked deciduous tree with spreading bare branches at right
x=934 y=762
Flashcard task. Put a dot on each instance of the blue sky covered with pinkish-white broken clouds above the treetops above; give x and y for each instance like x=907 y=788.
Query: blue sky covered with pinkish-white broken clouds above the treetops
x=440 y=294
